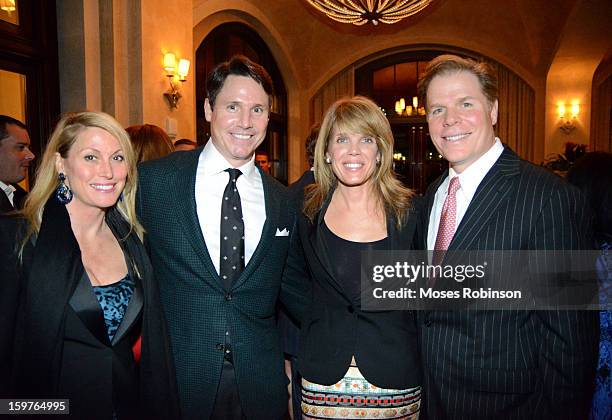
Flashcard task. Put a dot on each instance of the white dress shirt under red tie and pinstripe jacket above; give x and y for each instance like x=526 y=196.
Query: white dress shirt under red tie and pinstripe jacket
x=469 y=179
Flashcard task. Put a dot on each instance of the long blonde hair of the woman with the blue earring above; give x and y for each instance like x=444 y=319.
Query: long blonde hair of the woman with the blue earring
x=64 y=136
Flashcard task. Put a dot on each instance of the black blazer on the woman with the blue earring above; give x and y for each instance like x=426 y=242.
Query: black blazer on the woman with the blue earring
x=62 y=349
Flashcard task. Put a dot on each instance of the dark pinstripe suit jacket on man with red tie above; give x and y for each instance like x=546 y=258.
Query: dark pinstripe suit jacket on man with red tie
x=512 y=364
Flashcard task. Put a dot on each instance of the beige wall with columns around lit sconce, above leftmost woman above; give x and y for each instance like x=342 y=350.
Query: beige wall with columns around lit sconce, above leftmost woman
x=111 y=55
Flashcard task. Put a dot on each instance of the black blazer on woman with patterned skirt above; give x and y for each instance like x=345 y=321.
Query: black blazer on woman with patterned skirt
x=384 y=343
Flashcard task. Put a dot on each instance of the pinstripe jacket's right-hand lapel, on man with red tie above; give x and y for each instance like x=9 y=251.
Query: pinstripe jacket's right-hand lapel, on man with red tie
x=491 y=194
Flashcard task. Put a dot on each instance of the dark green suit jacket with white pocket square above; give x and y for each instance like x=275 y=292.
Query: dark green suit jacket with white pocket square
x=198 y=307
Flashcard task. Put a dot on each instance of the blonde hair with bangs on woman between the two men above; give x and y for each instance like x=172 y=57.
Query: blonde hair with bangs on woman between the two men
x=358 y=115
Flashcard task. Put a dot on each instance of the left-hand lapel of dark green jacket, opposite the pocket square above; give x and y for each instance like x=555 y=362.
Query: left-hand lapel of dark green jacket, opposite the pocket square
x=183 y=186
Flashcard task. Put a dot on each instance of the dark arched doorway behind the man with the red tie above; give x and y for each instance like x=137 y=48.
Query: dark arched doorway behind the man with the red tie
x=394 y=77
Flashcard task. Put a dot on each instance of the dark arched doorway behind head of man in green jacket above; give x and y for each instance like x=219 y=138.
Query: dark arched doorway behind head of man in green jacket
x=222 y=43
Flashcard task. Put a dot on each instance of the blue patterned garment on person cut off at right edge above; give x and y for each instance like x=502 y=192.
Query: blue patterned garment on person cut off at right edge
x=602 y=399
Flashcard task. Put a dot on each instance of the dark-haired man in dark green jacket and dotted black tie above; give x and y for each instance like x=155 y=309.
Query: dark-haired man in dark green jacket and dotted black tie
x=219 y=229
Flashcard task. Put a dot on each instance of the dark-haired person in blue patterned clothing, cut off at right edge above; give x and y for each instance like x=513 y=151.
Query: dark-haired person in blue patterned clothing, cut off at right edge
x=592 y=173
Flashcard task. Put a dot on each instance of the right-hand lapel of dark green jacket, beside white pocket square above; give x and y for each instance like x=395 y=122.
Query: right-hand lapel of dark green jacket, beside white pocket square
x=273 y=209
